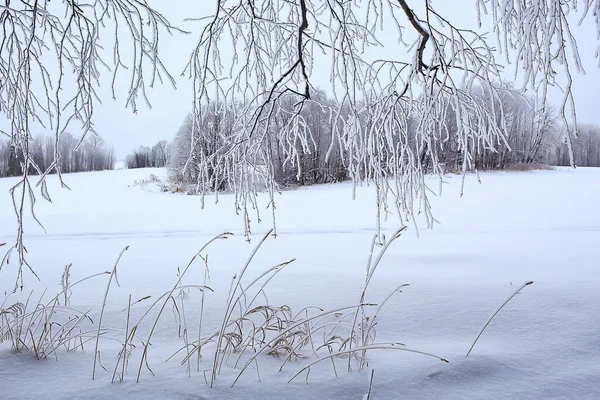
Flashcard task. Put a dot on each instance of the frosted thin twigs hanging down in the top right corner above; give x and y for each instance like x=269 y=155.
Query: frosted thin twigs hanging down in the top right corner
x=537 y=36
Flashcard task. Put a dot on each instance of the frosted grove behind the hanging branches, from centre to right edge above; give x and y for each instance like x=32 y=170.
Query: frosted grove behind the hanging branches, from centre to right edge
x=532 y=138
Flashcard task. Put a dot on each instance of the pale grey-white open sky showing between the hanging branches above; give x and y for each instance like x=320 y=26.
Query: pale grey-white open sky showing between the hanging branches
x=127 y=131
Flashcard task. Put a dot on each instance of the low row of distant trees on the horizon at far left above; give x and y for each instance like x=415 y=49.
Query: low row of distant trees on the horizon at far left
x=93 y=155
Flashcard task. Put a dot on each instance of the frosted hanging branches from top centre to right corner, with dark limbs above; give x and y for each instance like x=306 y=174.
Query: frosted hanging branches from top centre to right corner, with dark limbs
x=433 y=70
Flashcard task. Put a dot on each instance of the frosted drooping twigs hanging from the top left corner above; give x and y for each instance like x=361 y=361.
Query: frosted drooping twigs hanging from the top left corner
x=50 y=62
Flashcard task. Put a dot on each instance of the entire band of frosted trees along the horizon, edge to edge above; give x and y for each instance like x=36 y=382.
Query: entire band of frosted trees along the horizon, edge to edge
x=530 y=138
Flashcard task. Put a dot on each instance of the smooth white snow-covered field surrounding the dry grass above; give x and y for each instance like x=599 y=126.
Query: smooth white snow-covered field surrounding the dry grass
x=542 y=226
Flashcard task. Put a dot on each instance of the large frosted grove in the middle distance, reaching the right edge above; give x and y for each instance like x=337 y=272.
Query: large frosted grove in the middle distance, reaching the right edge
x=531 y=136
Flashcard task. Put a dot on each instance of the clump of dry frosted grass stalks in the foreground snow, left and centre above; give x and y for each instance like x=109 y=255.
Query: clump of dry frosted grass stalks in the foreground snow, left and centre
x=251 y=327
